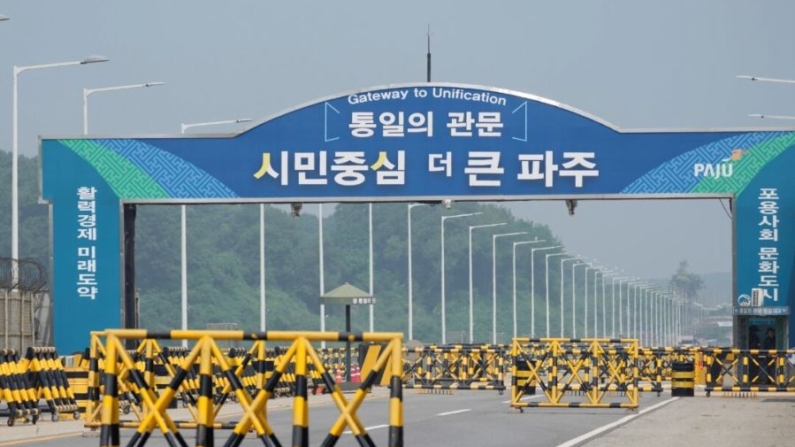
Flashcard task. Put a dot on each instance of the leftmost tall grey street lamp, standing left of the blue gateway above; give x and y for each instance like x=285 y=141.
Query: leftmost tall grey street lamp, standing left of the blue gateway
x=15 y=150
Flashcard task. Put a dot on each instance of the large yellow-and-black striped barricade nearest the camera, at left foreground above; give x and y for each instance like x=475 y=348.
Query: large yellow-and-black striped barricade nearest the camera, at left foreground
x=212 y=362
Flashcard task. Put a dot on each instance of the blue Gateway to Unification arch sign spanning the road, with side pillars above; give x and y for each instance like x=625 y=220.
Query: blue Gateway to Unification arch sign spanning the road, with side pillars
x=413 y=142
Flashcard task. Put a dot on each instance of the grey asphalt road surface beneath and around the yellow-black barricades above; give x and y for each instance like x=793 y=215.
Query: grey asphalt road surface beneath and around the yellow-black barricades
x=464 y=418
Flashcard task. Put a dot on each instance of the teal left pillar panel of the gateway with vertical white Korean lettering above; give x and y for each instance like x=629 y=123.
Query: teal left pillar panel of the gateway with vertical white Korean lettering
x=86 y=287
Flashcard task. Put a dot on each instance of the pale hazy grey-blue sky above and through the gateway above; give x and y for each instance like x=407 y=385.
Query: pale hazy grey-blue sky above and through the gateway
x=637 y=64
